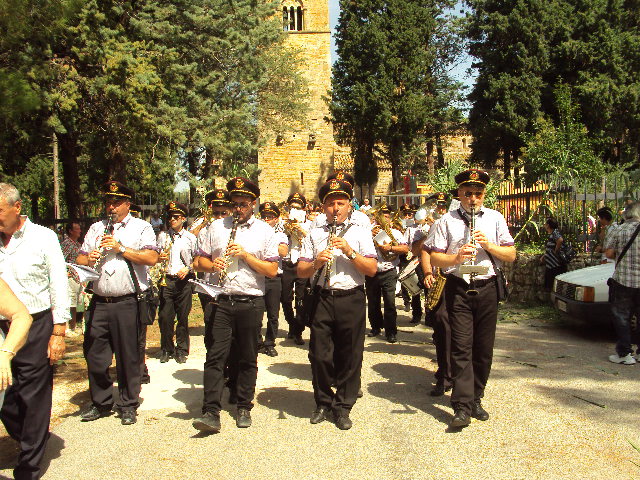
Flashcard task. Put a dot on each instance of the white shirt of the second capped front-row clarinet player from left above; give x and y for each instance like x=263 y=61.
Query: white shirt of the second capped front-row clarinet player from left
x=256 y=237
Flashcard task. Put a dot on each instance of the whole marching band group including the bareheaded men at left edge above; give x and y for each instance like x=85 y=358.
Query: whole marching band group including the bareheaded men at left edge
x=329 y=266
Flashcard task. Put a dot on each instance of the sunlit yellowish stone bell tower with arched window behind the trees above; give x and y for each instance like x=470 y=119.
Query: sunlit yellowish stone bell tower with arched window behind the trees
x=300 y=160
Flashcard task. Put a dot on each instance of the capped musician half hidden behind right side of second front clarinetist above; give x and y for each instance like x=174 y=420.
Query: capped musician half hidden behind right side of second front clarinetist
x=270 y=213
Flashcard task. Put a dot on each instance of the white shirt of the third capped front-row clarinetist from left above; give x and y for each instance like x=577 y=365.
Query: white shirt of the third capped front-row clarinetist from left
x=344 y=274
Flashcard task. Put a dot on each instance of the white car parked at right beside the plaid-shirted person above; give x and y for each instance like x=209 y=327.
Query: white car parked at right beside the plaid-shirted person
x=584 y=293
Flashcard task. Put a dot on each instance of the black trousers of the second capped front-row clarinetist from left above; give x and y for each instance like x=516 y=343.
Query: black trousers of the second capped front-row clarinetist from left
x=239 y=321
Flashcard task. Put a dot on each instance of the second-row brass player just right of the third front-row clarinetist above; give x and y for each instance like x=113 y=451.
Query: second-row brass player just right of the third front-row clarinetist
x=383 y=283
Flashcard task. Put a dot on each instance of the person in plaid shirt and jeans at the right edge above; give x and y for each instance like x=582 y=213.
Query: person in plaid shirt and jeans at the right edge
x=624 y=285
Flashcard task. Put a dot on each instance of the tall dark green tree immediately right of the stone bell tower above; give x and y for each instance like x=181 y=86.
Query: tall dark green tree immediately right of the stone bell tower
x=390 y=88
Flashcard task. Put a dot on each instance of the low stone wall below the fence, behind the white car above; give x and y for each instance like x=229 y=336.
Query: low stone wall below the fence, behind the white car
x=526 y=276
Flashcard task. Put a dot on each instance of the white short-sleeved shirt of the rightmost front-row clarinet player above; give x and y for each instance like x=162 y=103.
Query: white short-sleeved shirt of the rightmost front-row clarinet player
x=450 y=233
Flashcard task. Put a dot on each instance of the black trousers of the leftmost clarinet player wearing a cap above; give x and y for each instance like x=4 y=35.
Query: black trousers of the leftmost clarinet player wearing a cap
x=113 y=328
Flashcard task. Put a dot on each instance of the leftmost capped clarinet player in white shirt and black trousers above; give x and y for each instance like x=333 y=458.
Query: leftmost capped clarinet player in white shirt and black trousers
x=113 y=320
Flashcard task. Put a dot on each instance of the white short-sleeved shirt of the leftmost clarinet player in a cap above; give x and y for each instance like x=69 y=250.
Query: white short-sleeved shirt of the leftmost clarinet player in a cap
x=115 y=279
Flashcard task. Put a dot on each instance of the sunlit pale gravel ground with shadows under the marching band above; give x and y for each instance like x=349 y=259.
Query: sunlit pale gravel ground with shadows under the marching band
x=558 y=410
